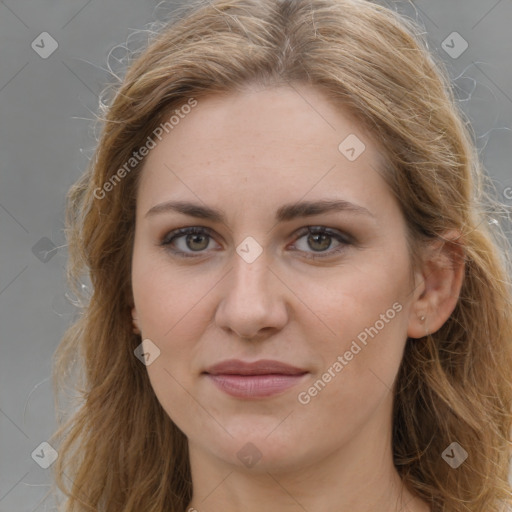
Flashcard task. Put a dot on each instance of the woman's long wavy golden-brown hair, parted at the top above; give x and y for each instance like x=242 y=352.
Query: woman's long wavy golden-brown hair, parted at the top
x=118 y=449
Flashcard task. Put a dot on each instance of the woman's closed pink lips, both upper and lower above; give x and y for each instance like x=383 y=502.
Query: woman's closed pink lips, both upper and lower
x=259 y=379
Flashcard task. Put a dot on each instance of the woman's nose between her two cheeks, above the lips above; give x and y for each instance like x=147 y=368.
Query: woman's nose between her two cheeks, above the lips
x=253 y=303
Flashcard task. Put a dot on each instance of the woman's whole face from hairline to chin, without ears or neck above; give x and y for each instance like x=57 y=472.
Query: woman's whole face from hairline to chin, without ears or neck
x=252 y=171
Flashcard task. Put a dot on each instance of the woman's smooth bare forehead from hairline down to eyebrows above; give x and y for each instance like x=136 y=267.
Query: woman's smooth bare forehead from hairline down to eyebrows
x=261 y=144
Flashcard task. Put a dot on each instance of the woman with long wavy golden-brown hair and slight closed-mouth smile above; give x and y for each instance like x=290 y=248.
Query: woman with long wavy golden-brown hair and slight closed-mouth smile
x=298 y=302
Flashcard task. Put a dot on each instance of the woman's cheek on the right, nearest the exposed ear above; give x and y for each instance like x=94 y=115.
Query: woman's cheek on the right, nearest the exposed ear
x=363 y=309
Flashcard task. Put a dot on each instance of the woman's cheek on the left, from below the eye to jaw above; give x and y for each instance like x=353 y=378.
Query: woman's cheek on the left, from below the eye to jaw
x=171 y=314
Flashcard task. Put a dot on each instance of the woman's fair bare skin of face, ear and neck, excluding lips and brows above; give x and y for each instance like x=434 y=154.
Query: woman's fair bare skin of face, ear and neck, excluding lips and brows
x=247 y=154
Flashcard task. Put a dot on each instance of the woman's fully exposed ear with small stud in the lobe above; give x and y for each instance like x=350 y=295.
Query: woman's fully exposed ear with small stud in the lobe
x=437 y=285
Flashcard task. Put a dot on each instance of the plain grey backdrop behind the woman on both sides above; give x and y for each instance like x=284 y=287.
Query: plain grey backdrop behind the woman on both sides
x=46 y=110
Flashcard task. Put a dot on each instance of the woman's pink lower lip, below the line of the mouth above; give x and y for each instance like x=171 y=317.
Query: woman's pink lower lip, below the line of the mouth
x=254 y=386
